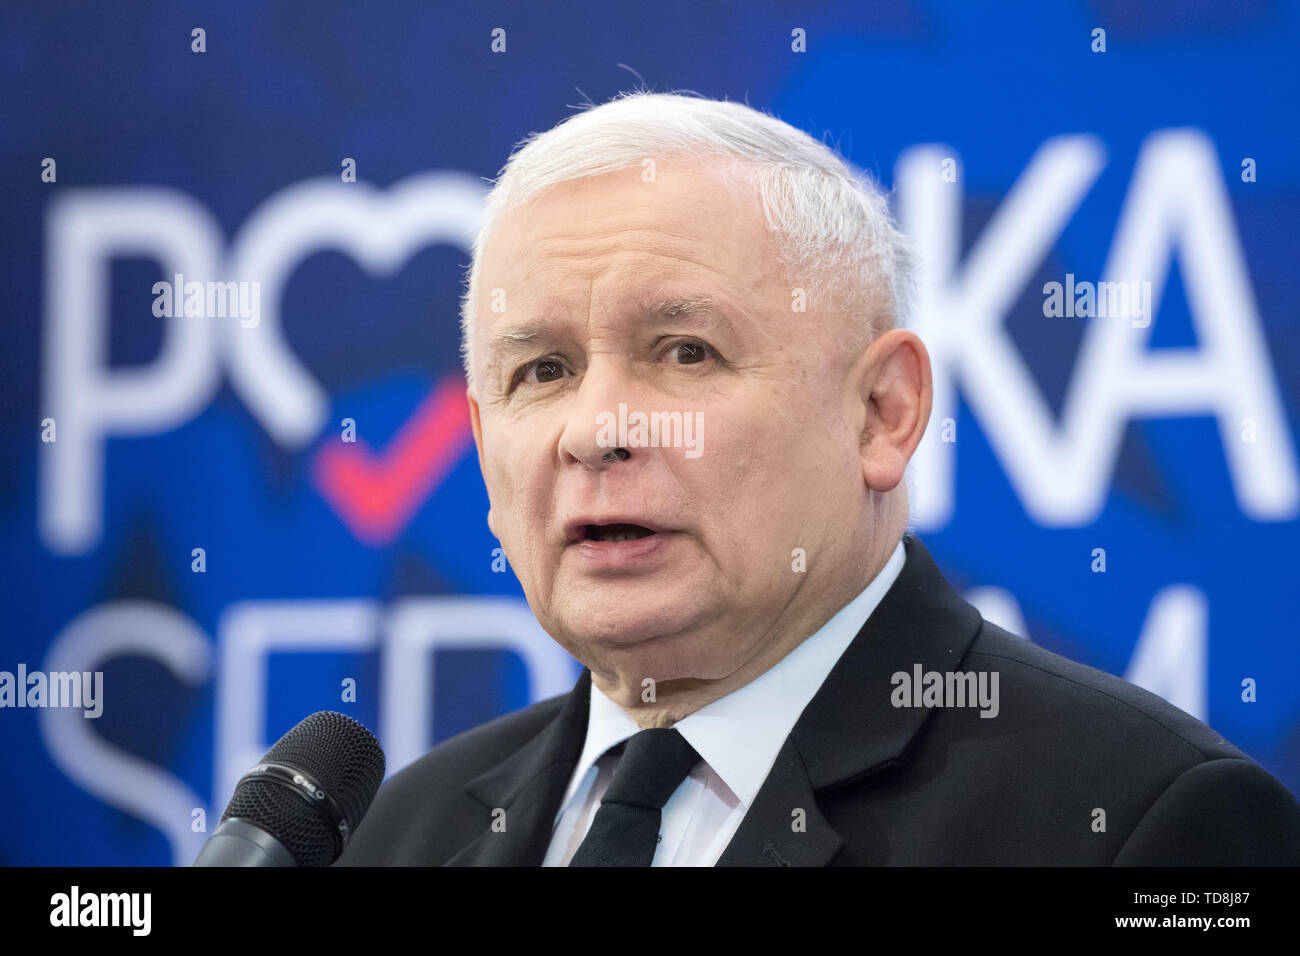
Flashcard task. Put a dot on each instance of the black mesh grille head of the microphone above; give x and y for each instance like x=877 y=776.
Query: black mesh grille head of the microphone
x=348 y=763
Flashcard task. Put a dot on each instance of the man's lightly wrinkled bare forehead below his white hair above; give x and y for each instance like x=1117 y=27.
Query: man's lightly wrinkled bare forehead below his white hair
x=694 y=224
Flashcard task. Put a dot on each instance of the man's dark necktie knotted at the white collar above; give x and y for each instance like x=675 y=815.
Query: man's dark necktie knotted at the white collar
x=626 y=829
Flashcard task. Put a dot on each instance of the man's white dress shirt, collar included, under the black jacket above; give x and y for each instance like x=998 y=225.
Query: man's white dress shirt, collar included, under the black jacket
x=736 y=737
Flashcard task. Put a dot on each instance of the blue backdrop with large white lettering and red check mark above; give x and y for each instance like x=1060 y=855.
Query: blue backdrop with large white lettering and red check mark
x=179 y=508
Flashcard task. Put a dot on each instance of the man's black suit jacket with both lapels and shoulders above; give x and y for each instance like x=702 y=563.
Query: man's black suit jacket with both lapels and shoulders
x=886 y=785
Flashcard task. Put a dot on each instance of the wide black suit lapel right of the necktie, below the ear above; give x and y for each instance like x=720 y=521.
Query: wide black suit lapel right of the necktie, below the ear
x=851 y=730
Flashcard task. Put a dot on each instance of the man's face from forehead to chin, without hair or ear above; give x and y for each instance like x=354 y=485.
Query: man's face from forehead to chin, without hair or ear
x=586 y=271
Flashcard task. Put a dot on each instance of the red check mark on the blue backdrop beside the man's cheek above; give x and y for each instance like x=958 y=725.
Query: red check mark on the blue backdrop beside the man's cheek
x=376 y=496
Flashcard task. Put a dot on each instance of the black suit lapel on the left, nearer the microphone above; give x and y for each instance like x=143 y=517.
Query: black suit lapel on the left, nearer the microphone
x=530 y=786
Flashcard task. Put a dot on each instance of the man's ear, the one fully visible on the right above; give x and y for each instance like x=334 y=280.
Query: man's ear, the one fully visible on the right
x=891 y=395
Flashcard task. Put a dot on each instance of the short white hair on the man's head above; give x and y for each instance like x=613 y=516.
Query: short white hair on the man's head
x=833 y=226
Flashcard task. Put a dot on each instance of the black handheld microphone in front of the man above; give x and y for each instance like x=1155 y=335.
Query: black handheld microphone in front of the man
x=302 y=803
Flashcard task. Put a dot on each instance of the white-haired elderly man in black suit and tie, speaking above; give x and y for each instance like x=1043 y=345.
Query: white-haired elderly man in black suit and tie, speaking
x=694 y=412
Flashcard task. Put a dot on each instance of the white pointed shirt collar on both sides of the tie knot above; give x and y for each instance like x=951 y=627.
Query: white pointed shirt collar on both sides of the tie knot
x=740 y=736
